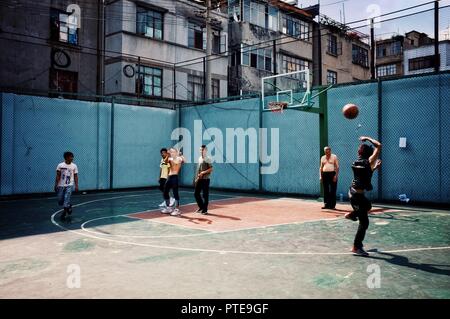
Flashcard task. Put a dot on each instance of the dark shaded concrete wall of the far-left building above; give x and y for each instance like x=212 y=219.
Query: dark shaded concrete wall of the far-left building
x=25 y=60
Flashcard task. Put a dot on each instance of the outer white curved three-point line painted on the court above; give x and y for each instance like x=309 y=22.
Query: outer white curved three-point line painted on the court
x=221 y=251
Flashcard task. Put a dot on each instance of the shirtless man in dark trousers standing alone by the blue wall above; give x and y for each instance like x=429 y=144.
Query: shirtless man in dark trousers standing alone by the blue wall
x=329 y=171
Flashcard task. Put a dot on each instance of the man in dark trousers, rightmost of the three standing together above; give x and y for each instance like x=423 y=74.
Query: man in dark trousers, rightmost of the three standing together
x=202 y=180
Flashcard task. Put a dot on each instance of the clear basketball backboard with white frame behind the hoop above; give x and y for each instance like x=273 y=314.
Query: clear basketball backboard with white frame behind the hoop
x=294 y=88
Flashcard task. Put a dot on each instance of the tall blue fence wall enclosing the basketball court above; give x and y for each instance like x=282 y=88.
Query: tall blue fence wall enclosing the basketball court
x=117 y=145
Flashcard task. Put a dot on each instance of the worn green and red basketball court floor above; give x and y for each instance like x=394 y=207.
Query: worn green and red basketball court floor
x=250 y=246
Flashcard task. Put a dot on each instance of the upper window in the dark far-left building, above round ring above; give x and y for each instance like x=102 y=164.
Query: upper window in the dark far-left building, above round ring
x=63 y=27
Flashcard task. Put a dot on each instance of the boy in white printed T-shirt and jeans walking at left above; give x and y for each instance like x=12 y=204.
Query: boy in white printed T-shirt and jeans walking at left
x=66 y=179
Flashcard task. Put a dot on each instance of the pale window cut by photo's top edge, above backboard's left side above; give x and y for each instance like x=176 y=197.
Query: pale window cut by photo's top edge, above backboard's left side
x=261 y=14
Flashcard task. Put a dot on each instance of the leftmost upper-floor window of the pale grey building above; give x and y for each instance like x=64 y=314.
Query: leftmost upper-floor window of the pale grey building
x=149 y=23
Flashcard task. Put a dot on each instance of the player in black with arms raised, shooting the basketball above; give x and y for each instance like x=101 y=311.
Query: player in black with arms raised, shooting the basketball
x=363 y=169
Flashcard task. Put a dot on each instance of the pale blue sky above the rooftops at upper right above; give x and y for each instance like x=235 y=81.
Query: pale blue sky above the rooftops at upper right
x=362 y=9
